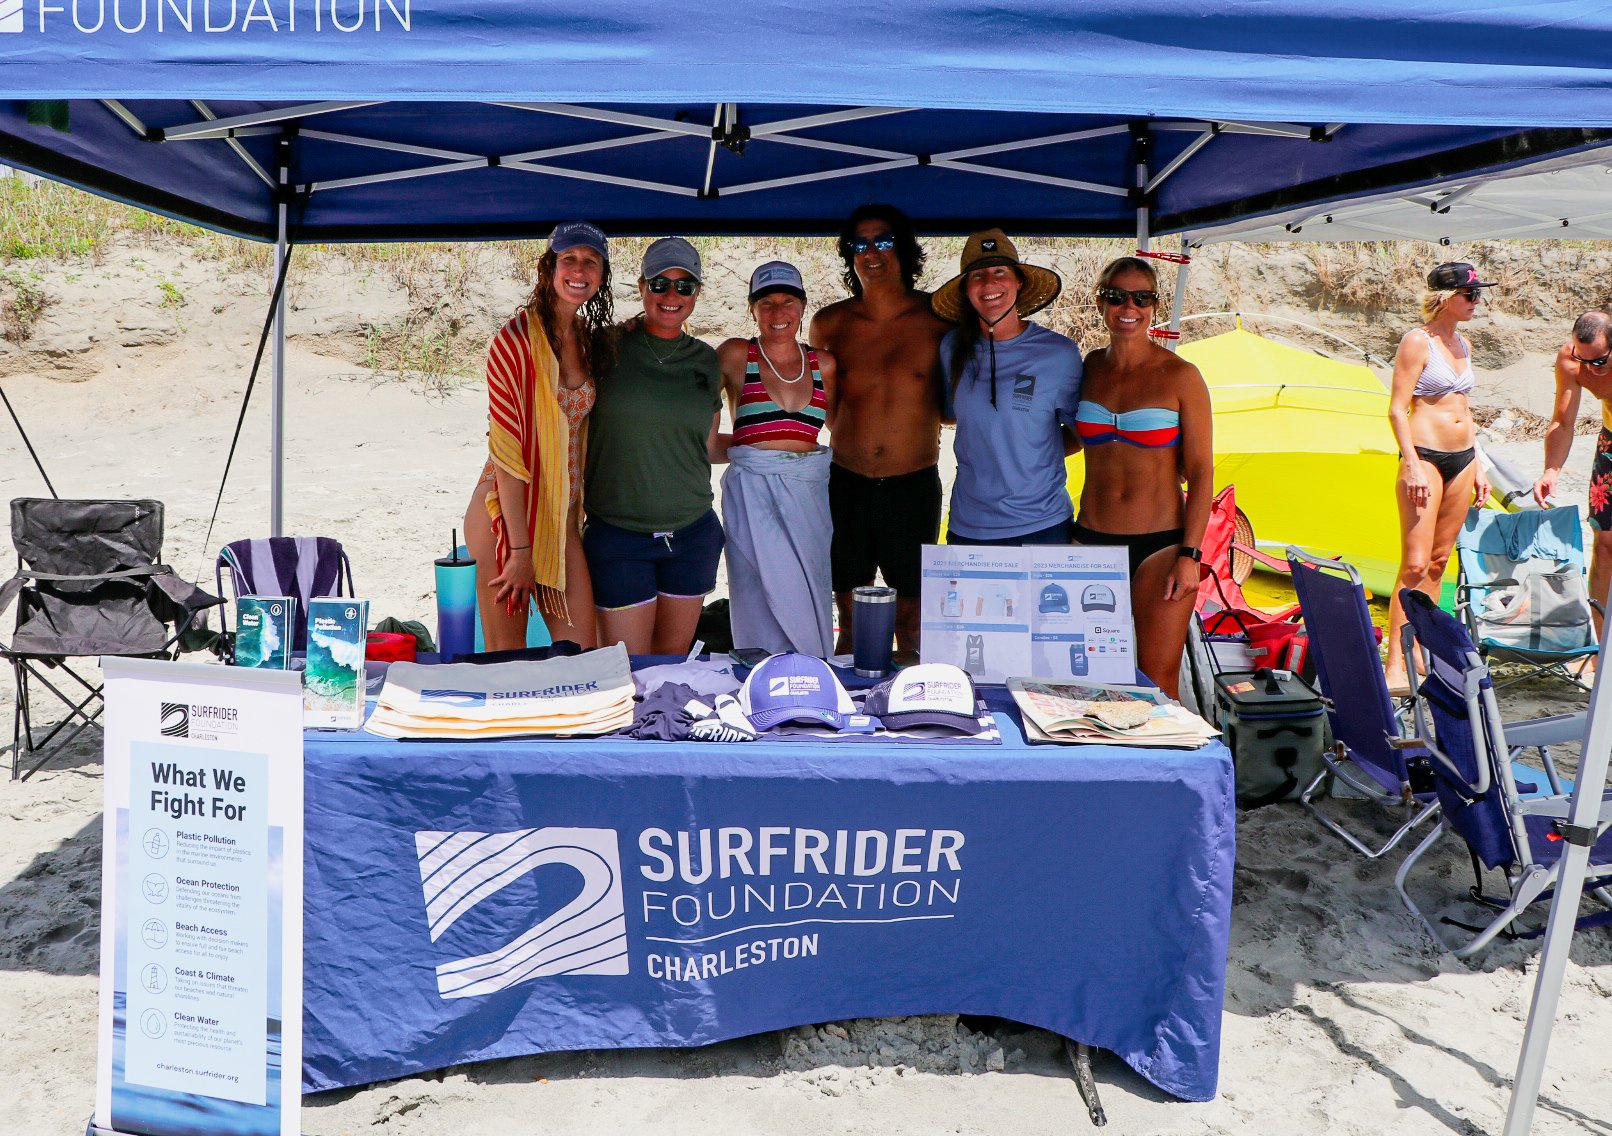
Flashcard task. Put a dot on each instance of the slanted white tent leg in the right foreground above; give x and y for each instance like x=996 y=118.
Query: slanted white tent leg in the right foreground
x=1582 y=827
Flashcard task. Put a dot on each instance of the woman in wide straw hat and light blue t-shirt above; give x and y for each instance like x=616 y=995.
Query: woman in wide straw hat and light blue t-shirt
x=1012 y=388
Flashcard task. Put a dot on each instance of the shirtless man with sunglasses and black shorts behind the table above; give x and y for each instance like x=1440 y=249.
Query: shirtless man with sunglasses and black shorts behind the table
x=884 y=486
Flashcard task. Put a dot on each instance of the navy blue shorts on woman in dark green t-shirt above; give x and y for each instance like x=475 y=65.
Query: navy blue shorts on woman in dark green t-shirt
x=634 y=568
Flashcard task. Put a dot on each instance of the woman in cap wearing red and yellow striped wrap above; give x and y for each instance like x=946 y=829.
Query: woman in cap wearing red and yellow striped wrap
x=525 y=521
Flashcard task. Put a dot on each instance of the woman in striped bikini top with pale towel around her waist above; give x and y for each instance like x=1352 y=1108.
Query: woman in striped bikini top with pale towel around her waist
x=776 y=487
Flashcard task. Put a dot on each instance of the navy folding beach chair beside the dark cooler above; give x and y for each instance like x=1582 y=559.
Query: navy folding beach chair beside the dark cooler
x=1371 y=753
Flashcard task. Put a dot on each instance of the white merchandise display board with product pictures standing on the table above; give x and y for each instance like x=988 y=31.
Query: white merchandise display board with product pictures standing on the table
x=1062 y=612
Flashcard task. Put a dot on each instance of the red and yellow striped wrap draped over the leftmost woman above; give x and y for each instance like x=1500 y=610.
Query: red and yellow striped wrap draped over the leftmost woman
x=525 y=423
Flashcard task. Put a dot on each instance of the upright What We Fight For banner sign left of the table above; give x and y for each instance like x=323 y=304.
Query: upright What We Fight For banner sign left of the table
x=202 y=902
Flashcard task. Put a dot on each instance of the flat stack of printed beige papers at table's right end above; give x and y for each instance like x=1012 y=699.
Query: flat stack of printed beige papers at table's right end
x=1105 y=715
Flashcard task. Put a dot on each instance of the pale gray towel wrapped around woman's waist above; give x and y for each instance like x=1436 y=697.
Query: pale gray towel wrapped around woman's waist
x=776 y=515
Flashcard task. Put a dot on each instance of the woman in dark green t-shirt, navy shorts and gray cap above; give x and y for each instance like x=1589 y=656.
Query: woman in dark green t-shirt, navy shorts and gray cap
x=652 y=539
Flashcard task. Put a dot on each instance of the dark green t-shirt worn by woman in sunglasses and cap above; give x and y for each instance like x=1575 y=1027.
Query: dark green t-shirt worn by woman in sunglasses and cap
x=649 y=470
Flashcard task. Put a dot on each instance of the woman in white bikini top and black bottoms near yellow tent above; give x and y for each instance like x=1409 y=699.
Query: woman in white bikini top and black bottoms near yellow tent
x=1440 y=475
